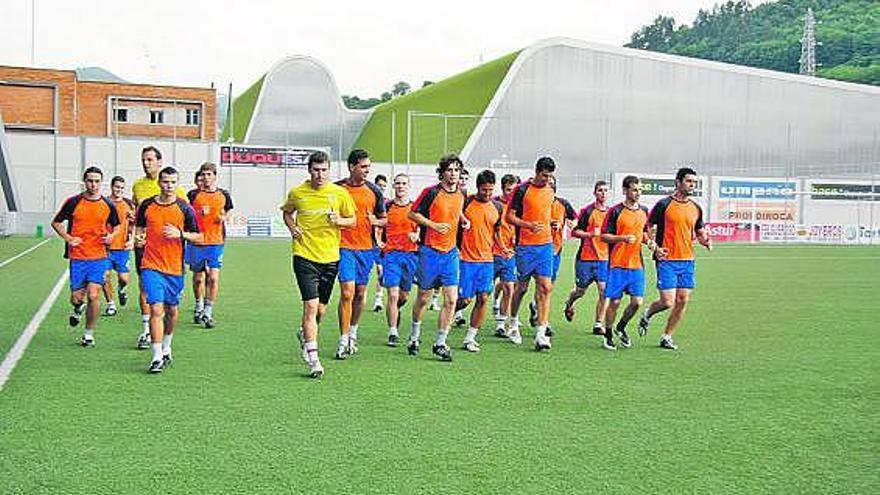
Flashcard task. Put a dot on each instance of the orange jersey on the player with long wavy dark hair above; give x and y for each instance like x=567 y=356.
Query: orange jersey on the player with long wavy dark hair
x=441 y=206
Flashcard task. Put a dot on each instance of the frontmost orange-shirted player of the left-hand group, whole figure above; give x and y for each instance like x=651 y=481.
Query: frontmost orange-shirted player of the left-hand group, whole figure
x=164 y=223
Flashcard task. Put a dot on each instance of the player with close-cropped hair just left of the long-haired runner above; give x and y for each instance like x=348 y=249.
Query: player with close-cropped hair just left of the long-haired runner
x=400 y=251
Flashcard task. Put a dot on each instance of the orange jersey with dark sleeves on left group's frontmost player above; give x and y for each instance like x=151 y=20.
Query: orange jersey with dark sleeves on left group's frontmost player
x=162 y=254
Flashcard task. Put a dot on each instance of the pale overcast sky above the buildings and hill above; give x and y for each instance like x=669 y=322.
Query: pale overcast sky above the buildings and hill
x=367 y=45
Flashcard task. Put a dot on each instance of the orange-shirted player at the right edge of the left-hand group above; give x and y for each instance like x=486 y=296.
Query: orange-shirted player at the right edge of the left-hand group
x=212 y=206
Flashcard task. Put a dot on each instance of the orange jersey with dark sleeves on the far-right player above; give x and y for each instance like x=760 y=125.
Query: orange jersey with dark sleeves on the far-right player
x=677 y=223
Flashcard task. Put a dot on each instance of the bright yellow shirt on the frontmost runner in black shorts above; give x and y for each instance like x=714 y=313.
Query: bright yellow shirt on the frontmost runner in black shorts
x=320 y=239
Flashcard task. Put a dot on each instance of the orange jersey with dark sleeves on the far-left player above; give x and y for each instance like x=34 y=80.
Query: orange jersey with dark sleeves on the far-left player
x=87 y=219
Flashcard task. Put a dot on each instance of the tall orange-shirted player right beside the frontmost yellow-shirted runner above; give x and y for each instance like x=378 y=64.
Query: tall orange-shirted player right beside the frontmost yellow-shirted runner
x=358 y=249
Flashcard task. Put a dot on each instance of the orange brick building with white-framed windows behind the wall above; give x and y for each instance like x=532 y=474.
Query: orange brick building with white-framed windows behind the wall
x=56 y=101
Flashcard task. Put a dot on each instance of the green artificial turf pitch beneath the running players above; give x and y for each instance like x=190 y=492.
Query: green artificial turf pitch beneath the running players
x=774 y=390
